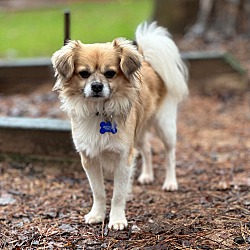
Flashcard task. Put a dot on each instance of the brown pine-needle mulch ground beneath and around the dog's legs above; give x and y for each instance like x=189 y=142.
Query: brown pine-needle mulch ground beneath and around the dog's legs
x=44 y=209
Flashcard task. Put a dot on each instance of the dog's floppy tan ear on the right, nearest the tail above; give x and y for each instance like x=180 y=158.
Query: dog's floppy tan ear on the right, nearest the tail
x=130 y=58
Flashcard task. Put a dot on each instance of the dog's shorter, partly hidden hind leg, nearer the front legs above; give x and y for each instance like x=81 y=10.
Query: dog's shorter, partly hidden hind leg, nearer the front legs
x=147 y=175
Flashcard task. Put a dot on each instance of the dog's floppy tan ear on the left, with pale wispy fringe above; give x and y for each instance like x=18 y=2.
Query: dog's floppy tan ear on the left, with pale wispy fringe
x=63 y=63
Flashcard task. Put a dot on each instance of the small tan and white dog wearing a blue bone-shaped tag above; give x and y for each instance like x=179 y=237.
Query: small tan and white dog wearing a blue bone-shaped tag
x=113 y=93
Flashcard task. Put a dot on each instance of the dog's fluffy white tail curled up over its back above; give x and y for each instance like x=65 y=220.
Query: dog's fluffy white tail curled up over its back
x=162 y=54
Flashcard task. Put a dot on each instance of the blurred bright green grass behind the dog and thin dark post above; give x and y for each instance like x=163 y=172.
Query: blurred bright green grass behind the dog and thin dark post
x=40 y=32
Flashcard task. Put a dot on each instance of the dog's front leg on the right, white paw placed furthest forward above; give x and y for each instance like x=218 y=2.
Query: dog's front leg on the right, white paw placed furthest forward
x=122 y=178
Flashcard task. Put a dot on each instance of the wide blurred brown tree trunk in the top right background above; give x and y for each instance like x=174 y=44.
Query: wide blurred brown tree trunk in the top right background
x=210 y=19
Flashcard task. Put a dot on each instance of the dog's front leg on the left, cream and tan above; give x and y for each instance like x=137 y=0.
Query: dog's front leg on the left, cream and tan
x=94 y=173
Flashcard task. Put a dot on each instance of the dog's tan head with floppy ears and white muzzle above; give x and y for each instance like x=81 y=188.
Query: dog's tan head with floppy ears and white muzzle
x=96 y=71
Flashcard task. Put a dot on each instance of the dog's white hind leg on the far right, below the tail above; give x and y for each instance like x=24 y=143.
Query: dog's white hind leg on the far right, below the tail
x=166 y=129
